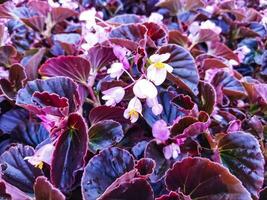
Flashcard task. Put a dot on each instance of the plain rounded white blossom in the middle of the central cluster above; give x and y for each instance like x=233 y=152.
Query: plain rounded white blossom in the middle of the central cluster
x=144 y=89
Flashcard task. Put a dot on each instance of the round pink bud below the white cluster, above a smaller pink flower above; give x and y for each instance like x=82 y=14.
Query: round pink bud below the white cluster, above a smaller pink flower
x=160 y=131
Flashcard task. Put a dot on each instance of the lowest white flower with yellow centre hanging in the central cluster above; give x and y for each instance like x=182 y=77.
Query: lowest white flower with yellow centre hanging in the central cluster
x=133 y=110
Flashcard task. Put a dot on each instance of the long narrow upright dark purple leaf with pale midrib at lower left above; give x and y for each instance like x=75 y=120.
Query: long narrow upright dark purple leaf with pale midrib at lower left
x=69 y=153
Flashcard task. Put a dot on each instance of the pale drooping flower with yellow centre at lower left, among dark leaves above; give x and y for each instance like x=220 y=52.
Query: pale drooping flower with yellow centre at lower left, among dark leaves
x=44 y=154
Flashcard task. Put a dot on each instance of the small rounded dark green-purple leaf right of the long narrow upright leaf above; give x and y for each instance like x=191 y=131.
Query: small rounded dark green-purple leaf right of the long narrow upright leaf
x=104 y=134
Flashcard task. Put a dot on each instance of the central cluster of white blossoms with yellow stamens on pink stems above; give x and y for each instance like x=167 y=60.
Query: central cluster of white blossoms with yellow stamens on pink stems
x=143 y=88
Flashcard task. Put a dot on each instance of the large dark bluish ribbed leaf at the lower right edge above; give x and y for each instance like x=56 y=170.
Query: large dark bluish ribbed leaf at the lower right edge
x=241 y=153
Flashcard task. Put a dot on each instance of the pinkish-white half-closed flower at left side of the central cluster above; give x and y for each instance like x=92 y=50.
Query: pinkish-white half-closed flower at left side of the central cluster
x=113 y=96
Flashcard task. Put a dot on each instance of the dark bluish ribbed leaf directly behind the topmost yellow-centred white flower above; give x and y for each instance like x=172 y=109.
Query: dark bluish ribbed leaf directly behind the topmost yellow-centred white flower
x=185 y=73
